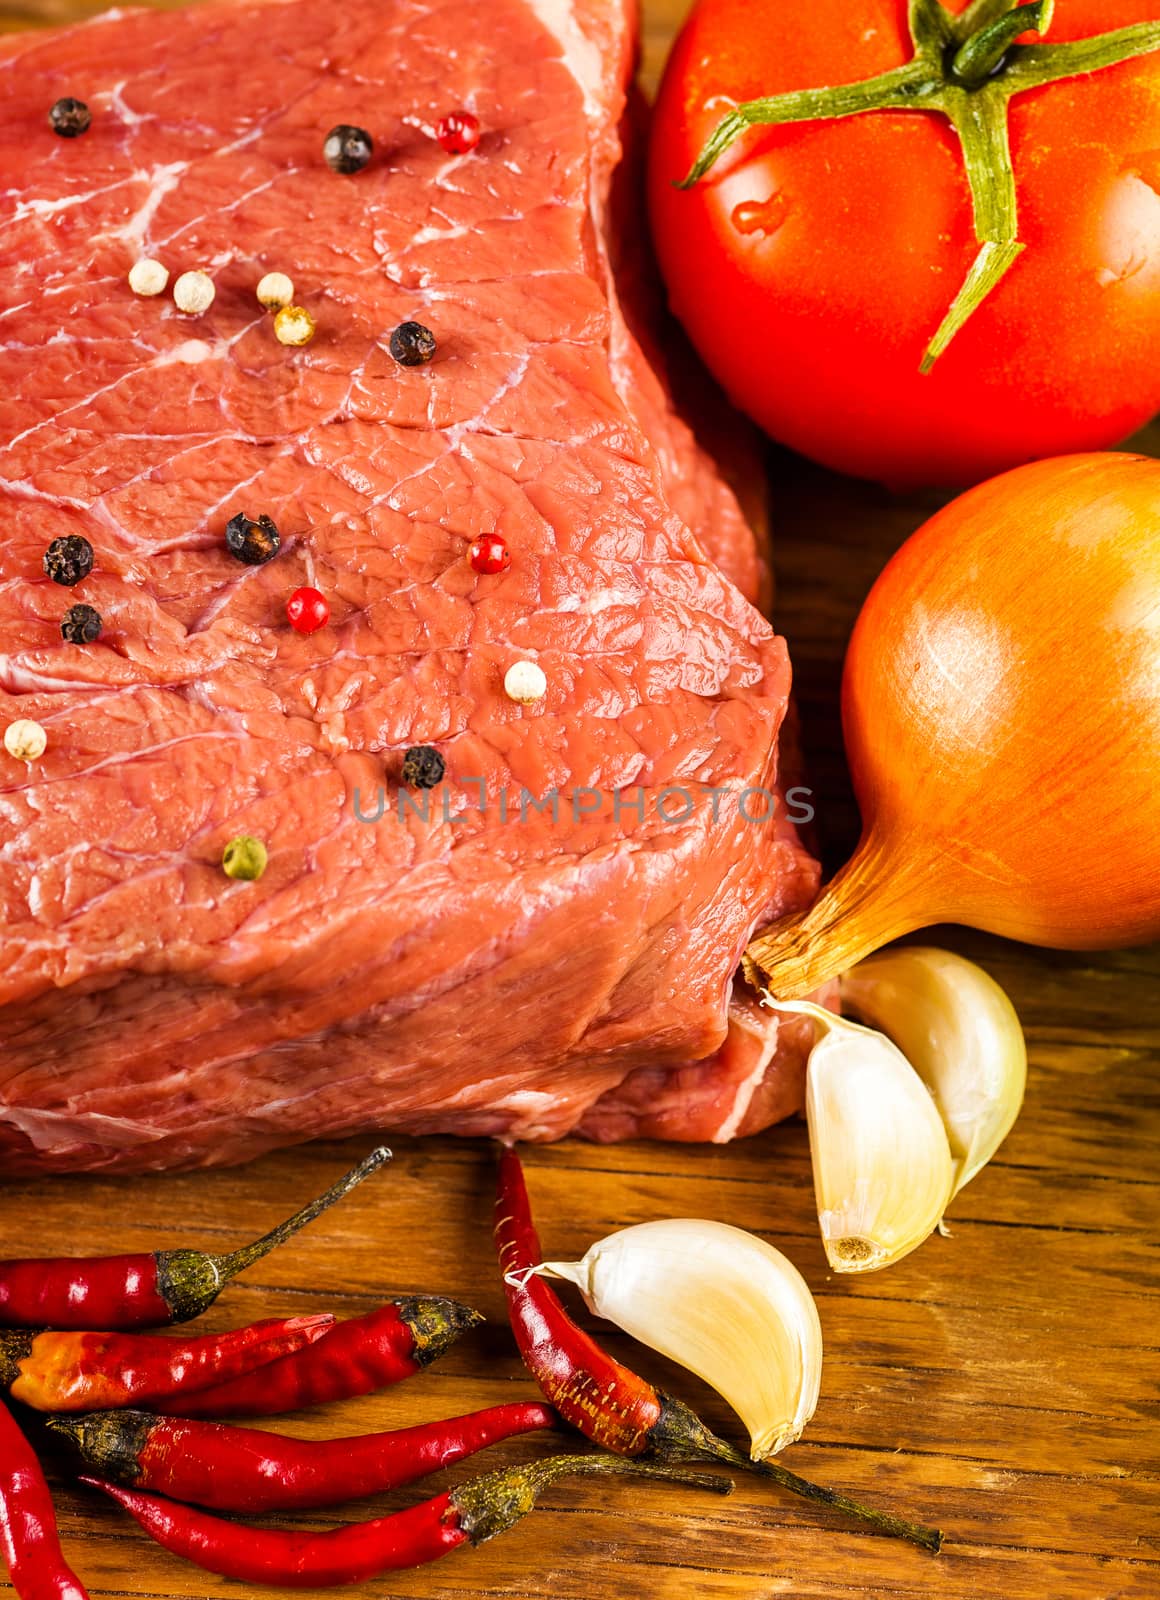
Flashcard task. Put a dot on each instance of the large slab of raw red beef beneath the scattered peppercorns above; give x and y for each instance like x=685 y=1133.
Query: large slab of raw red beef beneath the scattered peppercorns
x=481 y=969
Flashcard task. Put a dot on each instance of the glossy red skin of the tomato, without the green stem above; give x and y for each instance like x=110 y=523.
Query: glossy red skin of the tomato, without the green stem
x=814 y=265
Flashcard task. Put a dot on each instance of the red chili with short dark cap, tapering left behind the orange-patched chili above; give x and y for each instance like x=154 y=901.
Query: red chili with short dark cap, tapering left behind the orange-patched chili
x=356 y=1359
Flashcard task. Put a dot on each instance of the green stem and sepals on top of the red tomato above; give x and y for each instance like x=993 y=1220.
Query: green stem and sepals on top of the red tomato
x=969 y=68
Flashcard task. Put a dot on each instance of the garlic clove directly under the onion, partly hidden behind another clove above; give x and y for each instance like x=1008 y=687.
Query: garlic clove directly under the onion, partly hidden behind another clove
x=961 y=1034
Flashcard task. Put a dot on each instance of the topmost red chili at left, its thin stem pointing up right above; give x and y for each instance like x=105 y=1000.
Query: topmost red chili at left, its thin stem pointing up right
x=145 y=1290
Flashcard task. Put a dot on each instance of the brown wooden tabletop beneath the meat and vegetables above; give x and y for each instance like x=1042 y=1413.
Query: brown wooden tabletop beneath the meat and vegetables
x=1001 y=1382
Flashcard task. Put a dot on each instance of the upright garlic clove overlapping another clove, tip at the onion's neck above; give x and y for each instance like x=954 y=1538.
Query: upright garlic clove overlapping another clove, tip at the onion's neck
x=881 y=1154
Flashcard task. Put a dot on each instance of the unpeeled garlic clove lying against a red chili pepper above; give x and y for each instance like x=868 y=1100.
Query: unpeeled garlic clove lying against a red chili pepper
x=721 y=1303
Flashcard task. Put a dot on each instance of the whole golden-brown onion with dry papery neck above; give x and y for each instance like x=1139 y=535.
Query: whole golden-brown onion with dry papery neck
x=1001 y=708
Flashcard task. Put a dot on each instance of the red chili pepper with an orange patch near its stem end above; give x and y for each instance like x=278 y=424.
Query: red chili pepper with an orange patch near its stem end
x=97 y=1372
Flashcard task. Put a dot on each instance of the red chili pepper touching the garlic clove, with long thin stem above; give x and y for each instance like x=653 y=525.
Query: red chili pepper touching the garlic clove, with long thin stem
x=607 y=1401
